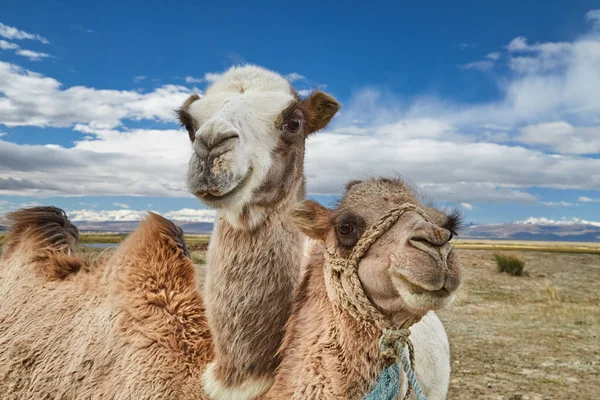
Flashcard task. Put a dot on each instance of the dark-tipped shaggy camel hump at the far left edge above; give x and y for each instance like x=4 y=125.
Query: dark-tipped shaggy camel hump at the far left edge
x=44 y=236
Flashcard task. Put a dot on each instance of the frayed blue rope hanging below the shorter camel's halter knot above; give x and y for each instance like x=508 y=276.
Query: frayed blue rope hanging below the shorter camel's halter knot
x=387 y=386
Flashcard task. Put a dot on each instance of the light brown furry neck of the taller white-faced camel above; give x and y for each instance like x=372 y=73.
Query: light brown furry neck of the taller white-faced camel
x=251 y=276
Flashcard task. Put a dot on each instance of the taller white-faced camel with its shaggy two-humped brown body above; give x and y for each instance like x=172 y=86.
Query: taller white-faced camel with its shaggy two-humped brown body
x=132 y=325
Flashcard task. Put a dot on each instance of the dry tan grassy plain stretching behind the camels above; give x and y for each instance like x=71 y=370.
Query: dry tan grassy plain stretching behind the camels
x=531 y=337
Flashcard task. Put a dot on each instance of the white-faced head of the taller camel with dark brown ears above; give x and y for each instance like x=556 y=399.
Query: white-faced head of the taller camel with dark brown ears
x=248 y=134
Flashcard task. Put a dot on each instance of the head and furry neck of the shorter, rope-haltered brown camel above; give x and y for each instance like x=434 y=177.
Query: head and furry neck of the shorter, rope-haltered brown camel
x=328 y=353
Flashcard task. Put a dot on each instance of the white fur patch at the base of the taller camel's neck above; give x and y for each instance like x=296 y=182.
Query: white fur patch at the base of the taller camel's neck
x=249 y=389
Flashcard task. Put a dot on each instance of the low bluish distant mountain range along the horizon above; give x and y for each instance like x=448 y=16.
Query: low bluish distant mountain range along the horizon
x=509 y=231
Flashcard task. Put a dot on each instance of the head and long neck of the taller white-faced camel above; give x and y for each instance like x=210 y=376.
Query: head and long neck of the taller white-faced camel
x=248 y=133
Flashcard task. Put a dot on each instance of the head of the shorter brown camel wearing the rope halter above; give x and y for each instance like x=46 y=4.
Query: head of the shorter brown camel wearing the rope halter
x=411 y=266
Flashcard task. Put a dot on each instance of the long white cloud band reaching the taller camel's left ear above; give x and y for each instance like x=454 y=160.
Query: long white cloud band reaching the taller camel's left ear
x=29 y=98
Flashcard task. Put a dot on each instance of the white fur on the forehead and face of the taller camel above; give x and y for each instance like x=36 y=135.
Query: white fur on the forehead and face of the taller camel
x=248 y=99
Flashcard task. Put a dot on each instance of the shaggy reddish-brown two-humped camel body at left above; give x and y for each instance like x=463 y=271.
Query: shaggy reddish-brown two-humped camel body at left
x=128 y=326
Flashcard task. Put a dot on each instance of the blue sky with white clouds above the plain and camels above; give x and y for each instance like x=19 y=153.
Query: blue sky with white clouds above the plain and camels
x=494 y=108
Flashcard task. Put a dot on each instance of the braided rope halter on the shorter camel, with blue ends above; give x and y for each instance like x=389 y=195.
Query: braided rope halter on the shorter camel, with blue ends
x=357 y=304
